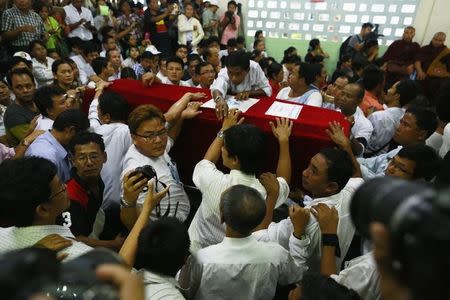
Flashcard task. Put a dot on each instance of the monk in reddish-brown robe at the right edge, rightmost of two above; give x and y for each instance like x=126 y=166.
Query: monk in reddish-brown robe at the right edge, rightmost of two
x=431 y=64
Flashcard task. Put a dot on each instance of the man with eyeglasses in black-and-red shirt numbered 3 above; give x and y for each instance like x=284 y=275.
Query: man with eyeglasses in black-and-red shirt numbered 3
x=85 y=218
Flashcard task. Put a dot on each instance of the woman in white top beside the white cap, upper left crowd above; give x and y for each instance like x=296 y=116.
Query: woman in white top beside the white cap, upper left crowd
x=42 y=64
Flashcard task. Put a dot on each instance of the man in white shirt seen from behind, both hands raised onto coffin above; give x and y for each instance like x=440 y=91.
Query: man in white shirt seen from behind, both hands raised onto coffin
x=242 y=150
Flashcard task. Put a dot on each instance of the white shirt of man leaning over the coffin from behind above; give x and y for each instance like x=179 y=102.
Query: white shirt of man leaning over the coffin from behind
x=254 y=80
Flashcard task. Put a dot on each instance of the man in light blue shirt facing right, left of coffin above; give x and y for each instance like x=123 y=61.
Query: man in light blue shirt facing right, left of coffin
x=51 y=145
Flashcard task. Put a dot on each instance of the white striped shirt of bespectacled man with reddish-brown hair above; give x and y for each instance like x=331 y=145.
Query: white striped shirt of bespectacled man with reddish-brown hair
x=167 y=173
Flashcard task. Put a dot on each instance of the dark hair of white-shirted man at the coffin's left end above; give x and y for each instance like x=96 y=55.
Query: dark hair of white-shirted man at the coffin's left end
x=113 y=104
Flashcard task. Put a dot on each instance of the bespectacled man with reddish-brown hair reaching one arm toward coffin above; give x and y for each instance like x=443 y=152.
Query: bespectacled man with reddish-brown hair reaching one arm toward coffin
x=153 y=134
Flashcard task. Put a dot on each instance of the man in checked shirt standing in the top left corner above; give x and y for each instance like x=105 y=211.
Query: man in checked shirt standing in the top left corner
x=21 y=25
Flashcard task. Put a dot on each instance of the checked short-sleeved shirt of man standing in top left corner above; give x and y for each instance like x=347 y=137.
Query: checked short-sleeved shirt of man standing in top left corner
x=14 y=18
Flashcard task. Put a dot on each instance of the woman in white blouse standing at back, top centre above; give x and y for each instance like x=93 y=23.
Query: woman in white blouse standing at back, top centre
x=190 y=31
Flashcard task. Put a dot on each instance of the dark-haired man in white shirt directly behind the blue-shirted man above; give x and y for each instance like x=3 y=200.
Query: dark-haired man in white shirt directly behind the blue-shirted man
x=51 y=100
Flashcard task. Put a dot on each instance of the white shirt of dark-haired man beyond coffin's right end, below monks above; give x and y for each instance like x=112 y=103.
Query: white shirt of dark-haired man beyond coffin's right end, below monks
x=384 y=124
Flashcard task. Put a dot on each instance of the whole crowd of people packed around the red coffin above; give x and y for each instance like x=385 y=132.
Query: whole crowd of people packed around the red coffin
x=73 y=180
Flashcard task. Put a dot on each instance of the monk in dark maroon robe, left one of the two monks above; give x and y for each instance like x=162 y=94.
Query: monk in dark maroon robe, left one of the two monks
x=400 y=57
